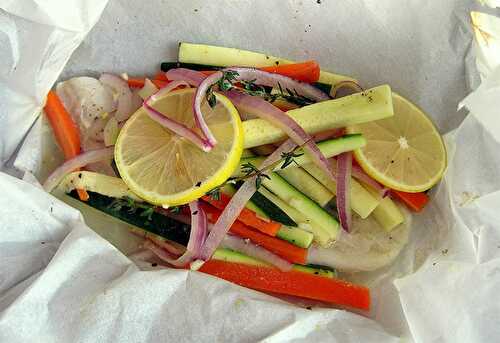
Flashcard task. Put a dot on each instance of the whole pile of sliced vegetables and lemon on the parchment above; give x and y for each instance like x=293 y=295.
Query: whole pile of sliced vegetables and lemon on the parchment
x=250 y=167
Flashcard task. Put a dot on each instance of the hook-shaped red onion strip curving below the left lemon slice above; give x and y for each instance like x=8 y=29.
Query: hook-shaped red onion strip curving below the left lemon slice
x=196 y=239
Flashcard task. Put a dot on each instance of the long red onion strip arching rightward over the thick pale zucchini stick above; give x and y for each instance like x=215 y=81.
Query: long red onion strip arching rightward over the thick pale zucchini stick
x=261 y=108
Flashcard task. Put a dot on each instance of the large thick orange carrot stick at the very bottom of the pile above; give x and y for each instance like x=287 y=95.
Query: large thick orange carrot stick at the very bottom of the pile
x=333 y=291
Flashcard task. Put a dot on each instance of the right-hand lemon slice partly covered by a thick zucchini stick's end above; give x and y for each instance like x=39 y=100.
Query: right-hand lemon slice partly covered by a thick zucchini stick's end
x=404 y=152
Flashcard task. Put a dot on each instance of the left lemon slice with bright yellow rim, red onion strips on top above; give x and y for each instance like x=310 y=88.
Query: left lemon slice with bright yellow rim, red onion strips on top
x=166 y=169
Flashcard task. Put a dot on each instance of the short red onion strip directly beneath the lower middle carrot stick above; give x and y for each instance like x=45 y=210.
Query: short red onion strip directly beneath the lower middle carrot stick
x=248 y=248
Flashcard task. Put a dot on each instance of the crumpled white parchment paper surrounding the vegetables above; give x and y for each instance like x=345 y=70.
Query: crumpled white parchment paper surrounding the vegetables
x=60 y=281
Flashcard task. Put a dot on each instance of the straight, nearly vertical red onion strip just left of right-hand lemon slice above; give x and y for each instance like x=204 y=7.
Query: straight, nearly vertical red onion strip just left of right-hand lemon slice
x=344 y=167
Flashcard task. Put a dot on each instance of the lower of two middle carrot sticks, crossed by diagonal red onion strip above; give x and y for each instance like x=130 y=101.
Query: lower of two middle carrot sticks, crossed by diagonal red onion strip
x=280 y=247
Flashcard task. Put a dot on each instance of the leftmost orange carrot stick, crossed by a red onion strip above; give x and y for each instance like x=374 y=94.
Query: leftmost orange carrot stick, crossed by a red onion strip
x=65 y=131
